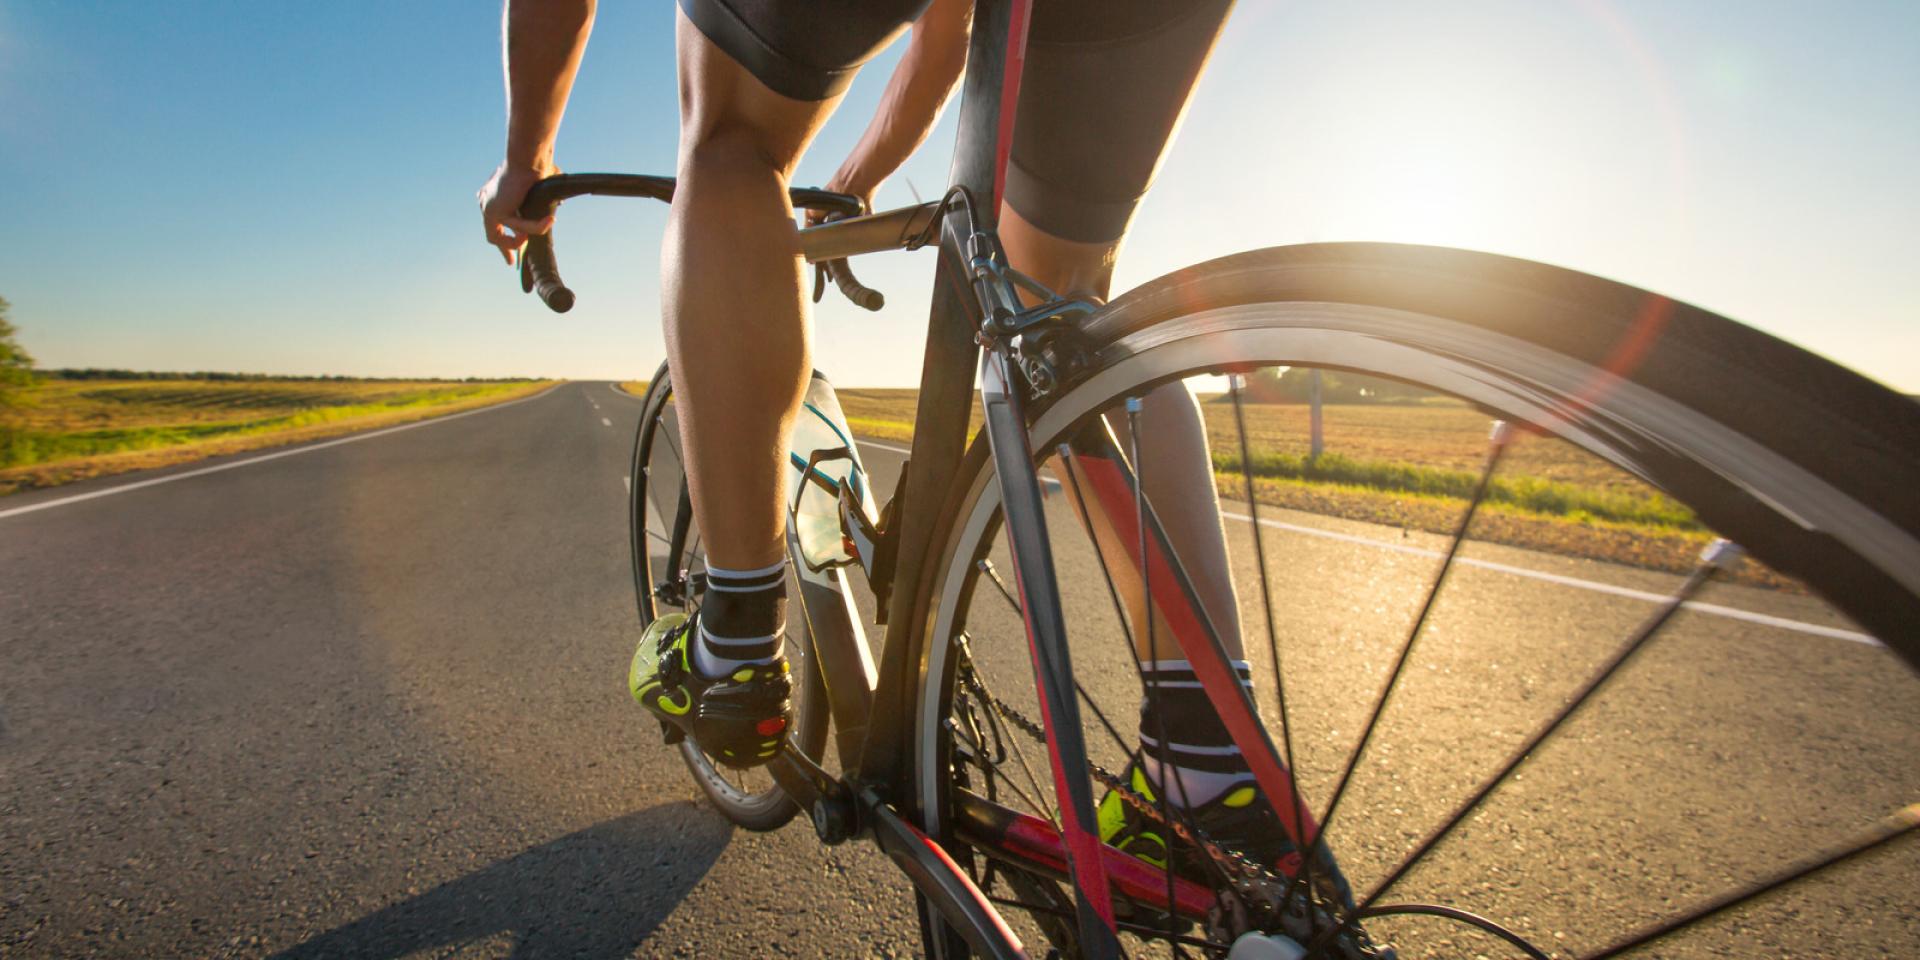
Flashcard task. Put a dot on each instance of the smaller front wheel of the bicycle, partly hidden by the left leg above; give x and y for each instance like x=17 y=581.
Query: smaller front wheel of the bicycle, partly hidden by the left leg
x=669 y=575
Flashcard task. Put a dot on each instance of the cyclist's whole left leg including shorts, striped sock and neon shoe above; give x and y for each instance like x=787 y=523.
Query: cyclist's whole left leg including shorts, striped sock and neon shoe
x=756 y=85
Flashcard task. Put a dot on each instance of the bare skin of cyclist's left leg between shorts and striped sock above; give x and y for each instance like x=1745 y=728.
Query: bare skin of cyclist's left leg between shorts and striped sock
x=732 y=297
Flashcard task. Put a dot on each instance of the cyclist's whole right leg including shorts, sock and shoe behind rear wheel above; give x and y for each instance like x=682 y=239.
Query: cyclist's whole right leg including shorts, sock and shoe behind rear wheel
x=1101 y=99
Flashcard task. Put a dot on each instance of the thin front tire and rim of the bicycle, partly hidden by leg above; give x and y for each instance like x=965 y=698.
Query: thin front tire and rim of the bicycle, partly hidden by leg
x=761 y=807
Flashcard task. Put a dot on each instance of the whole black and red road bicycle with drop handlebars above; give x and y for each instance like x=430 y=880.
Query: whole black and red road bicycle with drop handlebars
x=976 y=748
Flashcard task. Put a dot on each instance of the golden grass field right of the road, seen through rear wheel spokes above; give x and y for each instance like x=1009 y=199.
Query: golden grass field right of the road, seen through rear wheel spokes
x=1414 y=468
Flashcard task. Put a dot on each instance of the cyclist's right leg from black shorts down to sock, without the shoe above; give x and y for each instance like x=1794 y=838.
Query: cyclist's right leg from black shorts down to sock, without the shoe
x=1101 y=97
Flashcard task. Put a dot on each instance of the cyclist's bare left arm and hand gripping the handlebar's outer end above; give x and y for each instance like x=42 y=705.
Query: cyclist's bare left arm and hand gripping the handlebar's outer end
x=542 y=45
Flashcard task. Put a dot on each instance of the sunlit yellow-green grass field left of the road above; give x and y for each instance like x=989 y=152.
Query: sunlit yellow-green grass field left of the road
x=68 y=429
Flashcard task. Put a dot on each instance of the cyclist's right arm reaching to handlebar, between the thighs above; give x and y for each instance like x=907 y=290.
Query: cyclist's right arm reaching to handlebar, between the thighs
x=921 y=85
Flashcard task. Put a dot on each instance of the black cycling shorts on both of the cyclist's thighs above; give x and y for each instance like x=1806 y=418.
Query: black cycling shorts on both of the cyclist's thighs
x=1101 y=95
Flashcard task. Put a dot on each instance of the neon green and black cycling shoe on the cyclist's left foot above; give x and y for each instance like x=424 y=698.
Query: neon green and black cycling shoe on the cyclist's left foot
x=738 y=719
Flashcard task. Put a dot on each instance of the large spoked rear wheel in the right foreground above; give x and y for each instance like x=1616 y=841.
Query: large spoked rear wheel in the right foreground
x=1483 y=708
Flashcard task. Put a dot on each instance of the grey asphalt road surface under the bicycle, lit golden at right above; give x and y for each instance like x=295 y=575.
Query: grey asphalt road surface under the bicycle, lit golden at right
x=366 y=700
